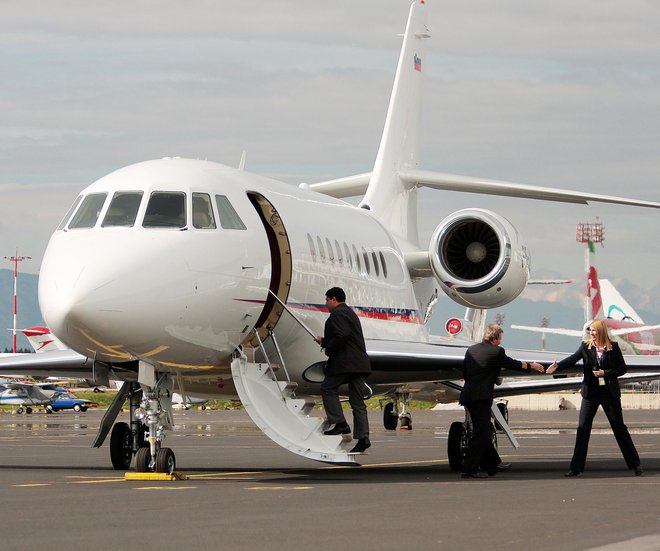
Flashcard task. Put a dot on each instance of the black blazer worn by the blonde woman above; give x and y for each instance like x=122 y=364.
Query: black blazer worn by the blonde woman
x=612 y=363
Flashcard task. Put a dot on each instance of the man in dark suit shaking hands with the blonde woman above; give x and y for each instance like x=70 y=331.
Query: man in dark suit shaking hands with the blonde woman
x=481 y=368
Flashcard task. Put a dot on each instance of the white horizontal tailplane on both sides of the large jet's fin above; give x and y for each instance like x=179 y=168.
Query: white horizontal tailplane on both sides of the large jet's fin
x=357 y=185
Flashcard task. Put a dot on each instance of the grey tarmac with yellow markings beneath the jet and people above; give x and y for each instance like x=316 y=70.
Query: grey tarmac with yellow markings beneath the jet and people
x=244 y=492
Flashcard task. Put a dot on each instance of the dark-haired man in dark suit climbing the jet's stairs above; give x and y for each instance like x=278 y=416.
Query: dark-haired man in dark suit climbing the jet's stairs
x=348 y=363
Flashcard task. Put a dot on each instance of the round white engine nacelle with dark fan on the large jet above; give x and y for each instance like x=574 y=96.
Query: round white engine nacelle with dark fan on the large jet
x=478 y=258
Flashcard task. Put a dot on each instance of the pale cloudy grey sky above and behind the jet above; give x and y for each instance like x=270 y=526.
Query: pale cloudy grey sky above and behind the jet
x=563 y=94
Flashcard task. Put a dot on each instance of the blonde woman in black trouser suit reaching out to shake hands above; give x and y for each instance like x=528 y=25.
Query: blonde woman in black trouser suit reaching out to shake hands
x=603 y=363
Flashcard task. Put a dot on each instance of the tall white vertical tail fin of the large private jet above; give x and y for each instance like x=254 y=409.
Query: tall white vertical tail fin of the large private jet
x=392 y=201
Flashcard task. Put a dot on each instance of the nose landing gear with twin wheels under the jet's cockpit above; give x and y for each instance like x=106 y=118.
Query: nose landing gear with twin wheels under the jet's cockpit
x=142 y=437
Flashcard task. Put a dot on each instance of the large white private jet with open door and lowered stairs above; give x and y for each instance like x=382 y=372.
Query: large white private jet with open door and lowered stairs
x=171 y=274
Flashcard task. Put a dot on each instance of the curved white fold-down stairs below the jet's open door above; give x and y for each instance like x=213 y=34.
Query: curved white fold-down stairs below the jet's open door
x=282 y=416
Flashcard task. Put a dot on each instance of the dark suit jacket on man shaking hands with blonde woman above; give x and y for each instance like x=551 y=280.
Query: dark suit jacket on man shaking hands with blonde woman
x=481 y=368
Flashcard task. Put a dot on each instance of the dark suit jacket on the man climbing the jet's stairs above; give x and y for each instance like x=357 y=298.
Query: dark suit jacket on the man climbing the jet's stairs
x=344 y=343
